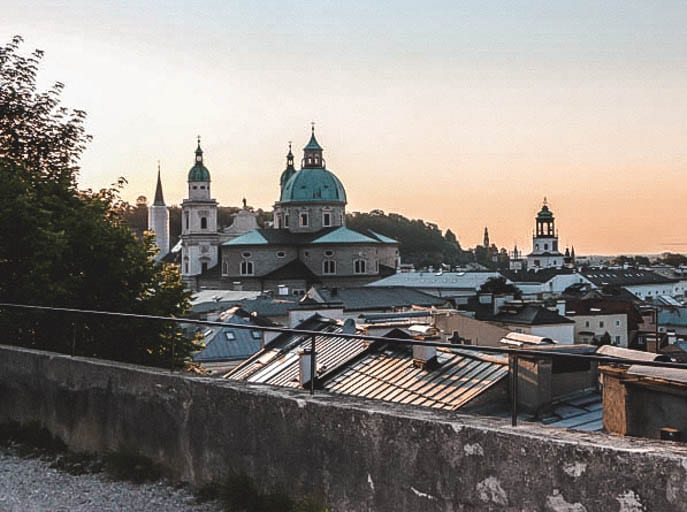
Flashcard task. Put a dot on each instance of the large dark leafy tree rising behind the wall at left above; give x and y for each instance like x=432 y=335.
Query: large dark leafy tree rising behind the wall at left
x=70 y=248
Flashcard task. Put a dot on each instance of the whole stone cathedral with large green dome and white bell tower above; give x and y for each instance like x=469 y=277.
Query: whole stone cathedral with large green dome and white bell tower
x=306 y=244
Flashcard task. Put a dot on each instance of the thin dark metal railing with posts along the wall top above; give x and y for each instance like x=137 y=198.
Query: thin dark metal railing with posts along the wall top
x=513 y=353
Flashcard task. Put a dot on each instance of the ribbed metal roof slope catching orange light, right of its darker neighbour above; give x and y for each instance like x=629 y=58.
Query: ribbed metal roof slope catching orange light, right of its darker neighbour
x=391 y=375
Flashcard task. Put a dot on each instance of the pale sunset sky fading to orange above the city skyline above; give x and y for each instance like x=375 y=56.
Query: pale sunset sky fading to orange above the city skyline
x=466 y=114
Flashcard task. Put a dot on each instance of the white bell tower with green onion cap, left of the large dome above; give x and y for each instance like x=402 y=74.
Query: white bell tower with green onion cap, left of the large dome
x=199 y=237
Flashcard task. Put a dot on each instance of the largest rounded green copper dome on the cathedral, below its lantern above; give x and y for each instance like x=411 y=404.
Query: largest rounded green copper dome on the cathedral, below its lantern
x=313 y=185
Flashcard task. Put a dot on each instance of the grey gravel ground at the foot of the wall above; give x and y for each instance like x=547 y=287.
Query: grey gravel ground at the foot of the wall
x=30 y=484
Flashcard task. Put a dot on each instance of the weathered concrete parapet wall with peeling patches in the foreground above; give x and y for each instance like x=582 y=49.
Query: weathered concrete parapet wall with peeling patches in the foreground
x=362 y=455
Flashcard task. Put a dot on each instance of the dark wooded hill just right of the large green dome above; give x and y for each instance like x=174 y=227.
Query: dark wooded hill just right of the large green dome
x=420 y=243
